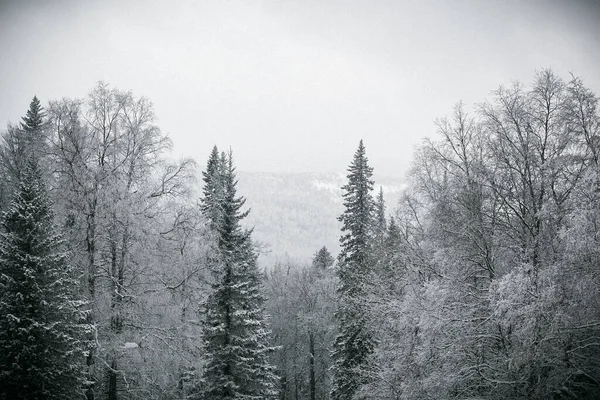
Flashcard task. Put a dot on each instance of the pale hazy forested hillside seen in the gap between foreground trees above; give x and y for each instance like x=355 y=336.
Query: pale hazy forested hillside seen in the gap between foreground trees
x=295 y=214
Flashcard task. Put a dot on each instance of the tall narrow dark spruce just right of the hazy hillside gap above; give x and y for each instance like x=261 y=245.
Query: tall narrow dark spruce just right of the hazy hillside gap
x=354 y=344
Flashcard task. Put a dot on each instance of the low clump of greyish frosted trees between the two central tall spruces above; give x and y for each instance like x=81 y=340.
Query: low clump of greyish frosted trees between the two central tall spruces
x=301 y=300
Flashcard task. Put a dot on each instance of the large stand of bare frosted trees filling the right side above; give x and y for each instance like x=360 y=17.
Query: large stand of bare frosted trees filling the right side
x=499 y=289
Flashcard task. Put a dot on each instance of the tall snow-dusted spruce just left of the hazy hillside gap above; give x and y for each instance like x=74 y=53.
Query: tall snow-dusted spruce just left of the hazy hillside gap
x=235 y=333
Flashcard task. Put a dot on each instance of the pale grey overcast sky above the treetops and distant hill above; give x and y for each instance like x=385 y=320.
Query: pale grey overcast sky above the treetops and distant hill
x=293 y=85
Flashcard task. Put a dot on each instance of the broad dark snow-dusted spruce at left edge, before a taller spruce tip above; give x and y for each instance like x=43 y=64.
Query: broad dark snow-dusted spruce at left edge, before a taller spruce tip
x=41 y=326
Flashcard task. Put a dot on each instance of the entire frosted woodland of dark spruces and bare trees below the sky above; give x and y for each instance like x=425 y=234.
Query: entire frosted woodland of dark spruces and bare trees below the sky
x=120 y=280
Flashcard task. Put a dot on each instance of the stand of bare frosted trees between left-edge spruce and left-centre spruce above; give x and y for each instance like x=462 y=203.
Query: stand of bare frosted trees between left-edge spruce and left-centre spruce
x=123 y=207
